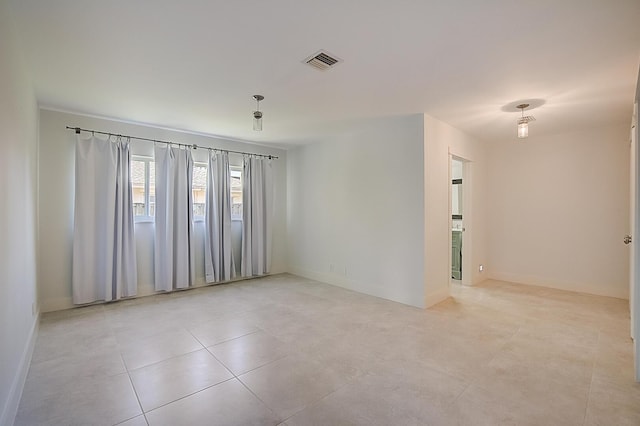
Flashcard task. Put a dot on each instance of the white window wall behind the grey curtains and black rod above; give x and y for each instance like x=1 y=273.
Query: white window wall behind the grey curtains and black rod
x=56 y=198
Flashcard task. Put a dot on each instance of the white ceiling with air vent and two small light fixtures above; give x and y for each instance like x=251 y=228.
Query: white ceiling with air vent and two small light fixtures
x=195 y=64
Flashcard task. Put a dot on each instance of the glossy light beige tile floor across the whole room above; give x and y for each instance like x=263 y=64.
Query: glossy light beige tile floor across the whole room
x=284 y=350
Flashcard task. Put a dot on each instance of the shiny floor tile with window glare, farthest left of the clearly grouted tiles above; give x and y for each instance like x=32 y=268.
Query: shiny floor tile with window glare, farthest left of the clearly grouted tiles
x=158 y=347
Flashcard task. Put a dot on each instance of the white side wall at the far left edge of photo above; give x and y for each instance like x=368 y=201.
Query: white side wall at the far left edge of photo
x=18 y=138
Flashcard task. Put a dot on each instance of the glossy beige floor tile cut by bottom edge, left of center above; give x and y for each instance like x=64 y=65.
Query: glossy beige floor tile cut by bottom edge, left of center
x=228 y=403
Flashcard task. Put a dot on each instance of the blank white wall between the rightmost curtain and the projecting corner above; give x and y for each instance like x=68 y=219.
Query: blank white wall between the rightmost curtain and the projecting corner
x=355 y=209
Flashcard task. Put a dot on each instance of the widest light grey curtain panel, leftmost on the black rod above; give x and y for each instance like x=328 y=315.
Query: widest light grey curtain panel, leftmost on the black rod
x=104 y=250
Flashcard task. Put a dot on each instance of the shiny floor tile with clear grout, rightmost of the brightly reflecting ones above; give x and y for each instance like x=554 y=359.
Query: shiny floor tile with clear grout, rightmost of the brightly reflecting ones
x=248 y=352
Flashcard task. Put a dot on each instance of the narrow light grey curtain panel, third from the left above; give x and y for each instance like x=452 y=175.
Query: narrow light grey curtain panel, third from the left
x=219 y=262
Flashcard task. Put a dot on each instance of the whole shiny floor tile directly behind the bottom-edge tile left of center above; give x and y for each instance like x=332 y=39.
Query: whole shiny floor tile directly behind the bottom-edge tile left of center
x=175 y=378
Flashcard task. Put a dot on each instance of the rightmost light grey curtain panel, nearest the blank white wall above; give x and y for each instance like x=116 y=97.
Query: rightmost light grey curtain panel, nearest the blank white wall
x=257 y=205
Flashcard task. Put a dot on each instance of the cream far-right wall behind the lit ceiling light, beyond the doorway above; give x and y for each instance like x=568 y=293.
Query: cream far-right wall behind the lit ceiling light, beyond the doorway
x=558 y=210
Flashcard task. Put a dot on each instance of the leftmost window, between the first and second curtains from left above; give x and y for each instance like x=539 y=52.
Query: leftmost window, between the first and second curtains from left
x=143 y=176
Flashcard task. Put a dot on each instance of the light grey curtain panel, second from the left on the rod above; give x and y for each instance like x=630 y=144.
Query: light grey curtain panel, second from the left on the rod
x=174 y=254
